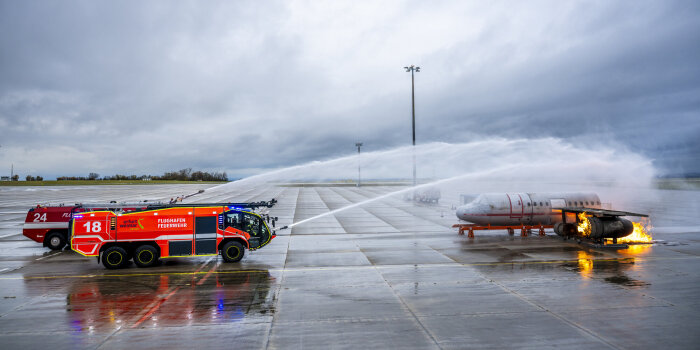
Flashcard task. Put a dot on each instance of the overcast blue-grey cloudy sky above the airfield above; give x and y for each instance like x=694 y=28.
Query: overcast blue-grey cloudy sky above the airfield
x=138 y=87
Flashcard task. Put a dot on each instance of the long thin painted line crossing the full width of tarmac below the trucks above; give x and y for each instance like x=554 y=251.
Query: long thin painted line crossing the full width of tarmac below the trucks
x=355 y=267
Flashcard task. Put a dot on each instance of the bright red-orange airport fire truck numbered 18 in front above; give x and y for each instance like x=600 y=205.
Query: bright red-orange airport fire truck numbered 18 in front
x=178 y=230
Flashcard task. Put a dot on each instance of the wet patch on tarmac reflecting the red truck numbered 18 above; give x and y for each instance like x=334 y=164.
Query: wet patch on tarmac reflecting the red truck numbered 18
x=111 y=302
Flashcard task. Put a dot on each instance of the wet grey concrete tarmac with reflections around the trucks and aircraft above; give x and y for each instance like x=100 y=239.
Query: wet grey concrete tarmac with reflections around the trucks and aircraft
x=391 y=274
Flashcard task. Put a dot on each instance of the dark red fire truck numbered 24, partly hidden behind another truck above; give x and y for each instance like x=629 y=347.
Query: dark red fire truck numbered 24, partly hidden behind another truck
x=49 y=224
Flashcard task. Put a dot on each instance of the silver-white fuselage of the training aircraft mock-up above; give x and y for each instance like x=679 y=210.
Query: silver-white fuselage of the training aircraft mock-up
x=504 y=209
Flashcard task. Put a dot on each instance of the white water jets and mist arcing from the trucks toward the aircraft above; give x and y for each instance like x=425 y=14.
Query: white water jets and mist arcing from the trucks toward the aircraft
x=486 y=165
